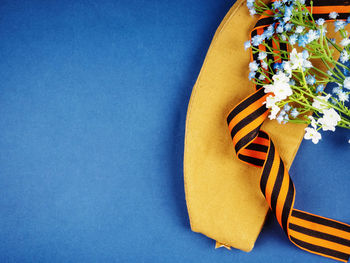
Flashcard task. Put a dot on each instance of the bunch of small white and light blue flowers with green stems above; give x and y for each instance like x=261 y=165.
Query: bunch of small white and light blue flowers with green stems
x=308 y=82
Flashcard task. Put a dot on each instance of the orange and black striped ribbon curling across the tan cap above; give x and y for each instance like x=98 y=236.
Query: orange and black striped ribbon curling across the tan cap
x=316 y=234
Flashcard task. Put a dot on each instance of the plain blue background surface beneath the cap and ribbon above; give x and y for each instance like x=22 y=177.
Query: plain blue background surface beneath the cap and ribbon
x=93 y=101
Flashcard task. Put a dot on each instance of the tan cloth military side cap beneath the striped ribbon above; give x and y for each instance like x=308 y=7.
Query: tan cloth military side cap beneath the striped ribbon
x=223 y=196
